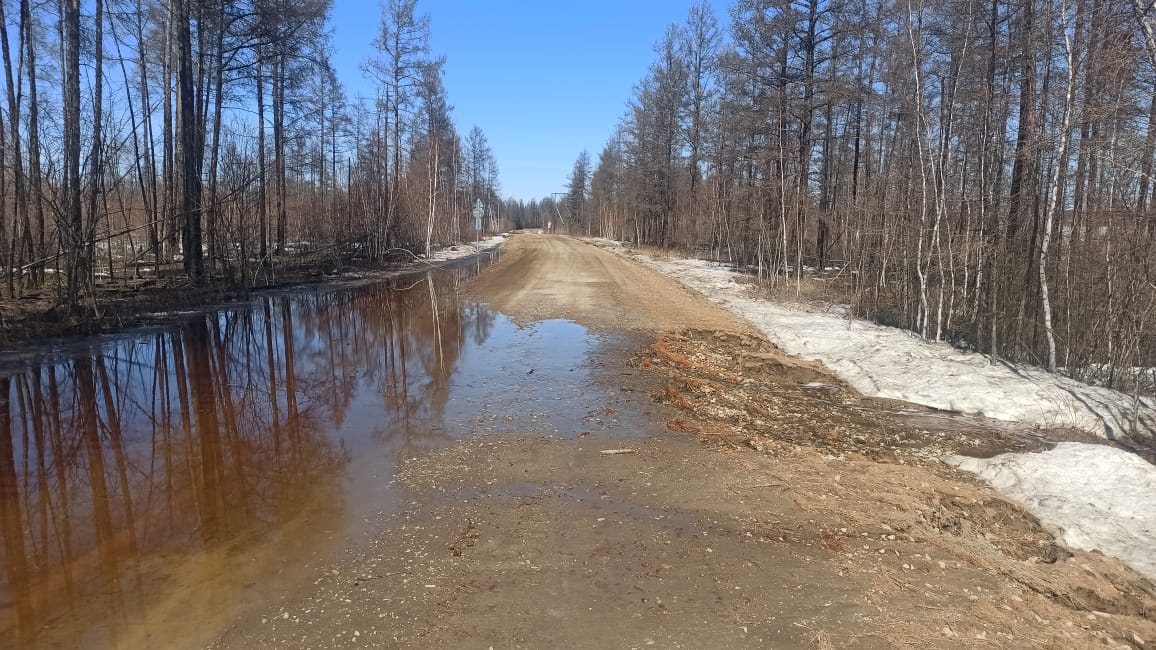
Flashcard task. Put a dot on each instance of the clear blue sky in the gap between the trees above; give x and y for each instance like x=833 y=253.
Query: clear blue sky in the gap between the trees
x=544 y=80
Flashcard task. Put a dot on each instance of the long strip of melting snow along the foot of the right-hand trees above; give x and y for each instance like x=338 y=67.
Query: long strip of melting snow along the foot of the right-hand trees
x=894 y=364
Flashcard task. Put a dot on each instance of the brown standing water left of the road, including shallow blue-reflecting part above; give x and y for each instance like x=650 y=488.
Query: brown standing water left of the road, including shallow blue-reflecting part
x=159 y=484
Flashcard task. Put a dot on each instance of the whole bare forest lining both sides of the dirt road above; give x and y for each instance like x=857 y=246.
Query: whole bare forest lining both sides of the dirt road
x=977 y=173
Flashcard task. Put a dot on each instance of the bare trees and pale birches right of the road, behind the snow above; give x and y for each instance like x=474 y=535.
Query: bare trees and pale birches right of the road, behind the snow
x=980 y=173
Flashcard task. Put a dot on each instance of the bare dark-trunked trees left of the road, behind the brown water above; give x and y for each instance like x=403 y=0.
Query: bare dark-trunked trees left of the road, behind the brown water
x=208 y=138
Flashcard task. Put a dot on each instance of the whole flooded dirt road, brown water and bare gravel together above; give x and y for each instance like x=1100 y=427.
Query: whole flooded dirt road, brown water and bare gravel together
x=397 y=466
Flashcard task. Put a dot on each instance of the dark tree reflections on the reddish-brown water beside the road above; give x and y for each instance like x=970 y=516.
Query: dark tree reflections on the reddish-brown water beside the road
x=211 y=433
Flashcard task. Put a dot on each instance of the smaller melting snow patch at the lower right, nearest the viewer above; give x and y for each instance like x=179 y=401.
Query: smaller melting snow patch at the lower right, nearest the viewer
x=1091 y=497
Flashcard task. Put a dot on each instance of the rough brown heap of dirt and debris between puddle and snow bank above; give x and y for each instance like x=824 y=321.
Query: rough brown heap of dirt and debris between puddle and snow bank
x=747 y=392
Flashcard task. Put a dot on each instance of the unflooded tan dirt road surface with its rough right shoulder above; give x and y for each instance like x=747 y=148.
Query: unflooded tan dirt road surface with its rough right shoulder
x=766 y=507
